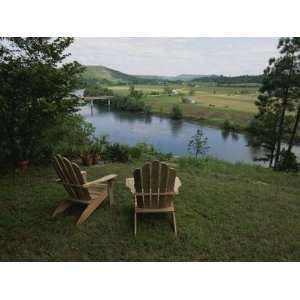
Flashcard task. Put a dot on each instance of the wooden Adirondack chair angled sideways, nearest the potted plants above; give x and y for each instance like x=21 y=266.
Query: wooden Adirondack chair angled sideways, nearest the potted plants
x=91 y=193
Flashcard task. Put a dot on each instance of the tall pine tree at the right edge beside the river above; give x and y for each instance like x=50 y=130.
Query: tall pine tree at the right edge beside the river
x=277 y=93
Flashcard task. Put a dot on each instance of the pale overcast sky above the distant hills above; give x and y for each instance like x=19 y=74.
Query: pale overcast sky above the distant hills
x=175 y=56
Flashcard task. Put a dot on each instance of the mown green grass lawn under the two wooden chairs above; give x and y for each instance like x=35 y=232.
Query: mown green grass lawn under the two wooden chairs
x=225 y=212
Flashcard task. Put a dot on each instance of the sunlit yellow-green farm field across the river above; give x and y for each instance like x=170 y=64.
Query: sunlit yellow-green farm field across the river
x=214 y=104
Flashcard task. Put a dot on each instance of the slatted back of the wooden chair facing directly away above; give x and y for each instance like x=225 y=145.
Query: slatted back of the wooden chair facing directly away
x=154 y=185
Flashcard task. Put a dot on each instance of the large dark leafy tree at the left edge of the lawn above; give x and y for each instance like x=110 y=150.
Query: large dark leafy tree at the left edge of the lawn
x=33 y=82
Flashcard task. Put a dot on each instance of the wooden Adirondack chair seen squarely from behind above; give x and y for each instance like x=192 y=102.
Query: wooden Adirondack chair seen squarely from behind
x=154 y=187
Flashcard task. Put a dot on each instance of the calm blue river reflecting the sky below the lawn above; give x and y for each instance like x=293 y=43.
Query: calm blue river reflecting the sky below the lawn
x=168 y=135
